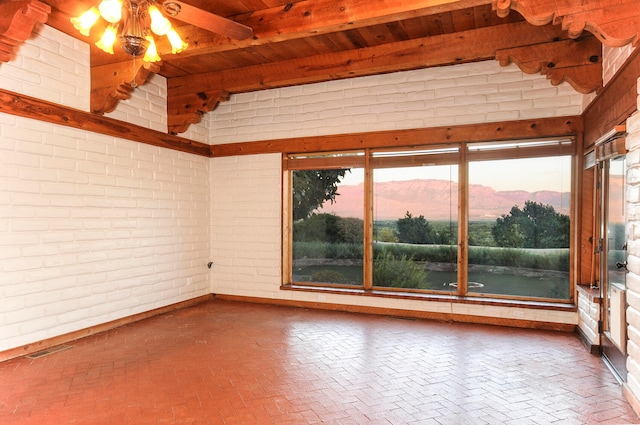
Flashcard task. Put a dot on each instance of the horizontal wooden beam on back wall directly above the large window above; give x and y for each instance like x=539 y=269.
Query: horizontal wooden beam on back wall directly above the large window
x=526 y=129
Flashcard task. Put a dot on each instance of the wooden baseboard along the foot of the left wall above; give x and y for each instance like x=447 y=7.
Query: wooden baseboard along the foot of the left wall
x=72 y=336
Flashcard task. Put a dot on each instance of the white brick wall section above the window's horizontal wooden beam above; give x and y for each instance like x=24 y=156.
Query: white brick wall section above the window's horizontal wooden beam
x=454 y=95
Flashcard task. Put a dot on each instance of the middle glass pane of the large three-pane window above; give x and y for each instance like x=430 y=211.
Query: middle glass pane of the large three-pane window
x=415 y=227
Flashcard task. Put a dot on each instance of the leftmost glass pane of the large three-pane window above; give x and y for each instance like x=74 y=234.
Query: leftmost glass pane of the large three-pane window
x=328 y=226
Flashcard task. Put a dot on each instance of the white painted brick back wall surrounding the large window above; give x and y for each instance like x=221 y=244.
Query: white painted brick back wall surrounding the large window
x=246 y=190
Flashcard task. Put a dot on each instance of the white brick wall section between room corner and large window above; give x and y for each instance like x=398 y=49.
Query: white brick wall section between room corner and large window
x=246 y=218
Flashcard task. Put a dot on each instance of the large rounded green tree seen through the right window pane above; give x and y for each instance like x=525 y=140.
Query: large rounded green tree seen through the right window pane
x=534 y=226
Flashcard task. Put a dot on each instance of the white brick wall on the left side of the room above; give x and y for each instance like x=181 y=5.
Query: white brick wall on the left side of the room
x=92 y=228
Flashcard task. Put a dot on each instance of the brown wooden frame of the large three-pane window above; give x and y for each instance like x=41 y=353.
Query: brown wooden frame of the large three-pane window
x=460 y=153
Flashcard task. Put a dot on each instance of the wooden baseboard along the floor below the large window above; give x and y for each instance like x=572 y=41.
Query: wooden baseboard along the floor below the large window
x=414 y=314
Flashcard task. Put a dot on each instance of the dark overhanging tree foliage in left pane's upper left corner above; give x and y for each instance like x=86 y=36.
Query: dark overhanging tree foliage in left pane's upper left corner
x=312 y=188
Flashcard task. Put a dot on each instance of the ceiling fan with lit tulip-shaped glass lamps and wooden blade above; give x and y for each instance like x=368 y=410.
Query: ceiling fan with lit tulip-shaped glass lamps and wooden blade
x=134 y=22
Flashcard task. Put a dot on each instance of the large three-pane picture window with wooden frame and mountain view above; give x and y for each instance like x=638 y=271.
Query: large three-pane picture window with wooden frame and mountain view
x=473 y=220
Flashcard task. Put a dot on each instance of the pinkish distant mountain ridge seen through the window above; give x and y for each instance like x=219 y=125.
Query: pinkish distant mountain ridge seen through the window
x=437 y=200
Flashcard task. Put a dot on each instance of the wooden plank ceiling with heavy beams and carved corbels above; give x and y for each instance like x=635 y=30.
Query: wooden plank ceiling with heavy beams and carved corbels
x=300 y=42
